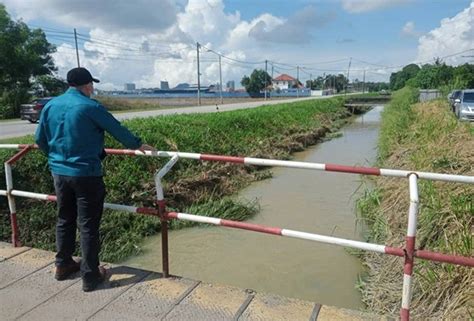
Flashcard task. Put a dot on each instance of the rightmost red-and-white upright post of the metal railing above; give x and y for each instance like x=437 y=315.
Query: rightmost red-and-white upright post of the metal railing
x=409 y=248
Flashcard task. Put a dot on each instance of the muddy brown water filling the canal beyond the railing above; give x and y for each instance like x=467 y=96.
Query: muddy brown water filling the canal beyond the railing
x=303 y=200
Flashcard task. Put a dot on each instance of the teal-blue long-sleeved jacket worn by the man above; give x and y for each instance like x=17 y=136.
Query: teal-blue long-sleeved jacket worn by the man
x=71 y=131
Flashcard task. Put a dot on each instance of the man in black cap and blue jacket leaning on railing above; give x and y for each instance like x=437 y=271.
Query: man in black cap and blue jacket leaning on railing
x=71 y=133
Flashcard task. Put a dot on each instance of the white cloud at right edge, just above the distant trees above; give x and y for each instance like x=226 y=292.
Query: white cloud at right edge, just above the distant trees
x=454 y=35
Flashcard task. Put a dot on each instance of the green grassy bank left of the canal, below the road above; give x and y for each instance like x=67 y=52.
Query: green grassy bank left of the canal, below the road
x=202 y=188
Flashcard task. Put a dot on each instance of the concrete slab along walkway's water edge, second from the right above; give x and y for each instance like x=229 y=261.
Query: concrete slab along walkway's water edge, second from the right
x=274 y=307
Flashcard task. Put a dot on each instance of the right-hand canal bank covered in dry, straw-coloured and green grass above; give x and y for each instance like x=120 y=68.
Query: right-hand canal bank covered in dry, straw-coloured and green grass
x=424 y=137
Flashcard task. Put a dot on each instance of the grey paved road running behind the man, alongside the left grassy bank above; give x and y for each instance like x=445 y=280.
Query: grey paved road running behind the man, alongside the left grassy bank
x=18 y=128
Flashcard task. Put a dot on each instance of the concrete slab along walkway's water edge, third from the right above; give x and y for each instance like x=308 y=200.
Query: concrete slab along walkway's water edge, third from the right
x=209 y=302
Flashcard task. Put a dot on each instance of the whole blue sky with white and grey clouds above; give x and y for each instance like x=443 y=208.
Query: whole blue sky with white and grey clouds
x=148 y=41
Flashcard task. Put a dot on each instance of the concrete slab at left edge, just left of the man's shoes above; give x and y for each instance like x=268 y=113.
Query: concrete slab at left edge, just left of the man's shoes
x=21 y=265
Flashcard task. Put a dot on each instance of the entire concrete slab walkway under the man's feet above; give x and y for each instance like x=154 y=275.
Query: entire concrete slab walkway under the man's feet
x=28 y=291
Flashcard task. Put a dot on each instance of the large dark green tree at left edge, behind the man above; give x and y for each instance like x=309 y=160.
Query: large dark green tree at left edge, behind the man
x=24 y=55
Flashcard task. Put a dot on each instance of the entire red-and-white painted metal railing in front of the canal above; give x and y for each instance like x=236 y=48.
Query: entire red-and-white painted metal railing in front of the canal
x=409 y=252
